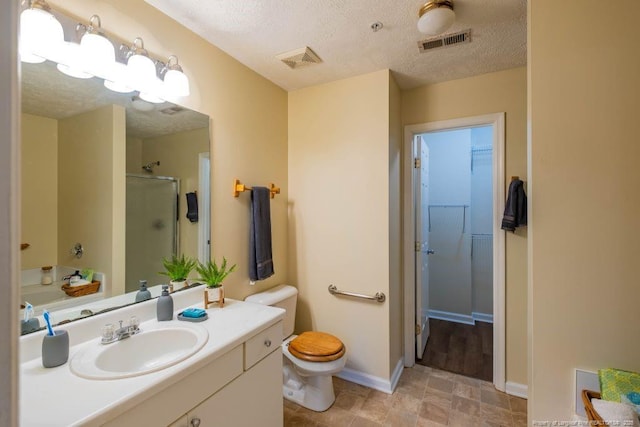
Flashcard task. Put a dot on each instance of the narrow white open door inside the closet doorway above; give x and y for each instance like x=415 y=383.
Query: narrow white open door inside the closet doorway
x=421 y=172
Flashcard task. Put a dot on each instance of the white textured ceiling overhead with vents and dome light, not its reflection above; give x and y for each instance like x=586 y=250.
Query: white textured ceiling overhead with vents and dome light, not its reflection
x=255 y=31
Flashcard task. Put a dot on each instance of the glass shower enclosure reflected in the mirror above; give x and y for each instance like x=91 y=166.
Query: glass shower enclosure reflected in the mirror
x=152 y=227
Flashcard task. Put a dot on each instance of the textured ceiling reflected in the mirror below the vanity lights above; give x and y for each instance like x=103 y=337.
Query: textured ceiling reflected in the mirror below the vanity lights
x=47 y=92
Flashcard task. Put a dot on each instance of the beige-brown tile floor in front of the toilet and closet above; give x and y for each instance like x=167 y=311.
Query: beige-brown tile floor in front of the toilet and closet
x=424 y=397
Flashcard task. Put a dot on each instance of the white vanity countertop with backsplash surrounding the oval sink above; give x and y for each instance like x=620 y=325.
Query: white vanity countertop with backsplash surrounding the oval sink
x=57 y=397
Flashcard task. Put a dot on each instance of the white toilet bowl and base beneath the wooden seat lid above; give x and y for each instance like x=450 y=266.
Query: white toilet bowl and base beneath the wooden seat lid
x=315 y=393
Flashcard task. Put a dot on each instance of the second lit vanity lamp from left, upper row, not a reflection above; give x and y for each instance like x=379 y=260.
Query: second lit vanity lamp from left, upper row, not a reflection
x=96 y=50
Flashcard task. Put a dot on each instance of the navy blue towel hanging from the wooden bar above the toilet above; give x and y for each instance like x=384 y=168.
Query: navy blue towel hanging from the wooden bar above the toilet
x=260 y=256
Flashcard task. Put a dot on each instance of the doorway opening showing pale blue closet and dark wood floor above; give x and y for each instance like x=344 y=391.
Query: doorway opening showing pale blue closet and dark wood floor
x=454 y=265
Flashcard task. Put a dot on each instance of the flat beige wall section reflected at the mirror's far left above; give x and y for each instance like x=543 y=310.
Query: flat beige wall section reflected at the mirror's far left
x=39 y=175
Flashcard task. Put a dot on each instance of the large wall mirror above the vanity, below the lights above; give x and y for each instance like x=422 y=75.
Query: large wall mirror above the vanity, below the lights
x=105 y=182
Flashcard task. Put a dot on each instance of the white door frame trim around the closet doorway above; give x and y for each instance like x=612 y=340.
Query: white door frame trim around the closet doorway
x=497 y=120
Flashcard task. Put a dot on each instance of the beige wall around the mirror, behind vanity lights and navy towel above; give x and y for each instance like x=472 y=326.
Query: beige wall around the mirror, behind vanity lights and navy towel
x=248 y=132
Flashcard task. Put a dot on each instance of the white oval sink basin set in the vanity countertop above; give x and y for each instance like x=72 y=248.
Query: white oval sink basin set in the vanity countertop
x=158 y=346
